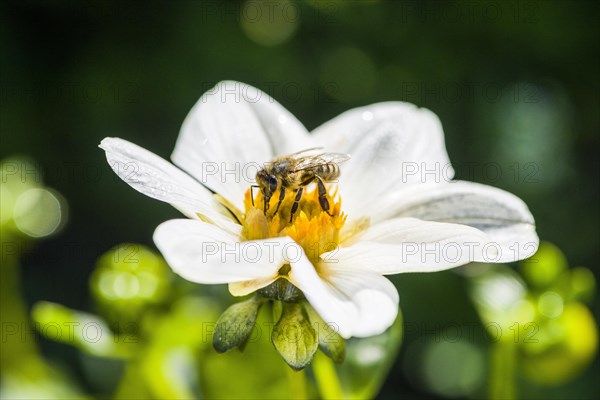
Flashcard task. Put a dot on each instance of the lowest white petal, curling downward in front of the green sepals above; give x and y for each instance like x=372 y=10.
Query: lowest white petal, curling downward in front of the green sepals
x=356 y=303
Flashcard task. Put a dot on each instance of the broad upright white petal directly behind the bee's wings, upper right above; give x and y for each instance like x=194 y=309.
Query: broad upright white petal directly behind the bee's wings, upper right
x=392 y=144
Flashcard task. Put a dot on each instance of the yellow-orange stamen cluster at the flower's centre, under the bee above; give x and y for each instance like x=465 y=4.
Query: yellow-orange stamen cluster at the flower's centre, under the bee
x=311 y=227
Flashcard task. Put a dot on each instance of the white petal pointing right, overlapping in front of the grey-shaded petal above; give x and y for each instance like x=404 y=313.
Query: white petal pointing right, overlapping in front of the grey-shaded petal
x=412 y=245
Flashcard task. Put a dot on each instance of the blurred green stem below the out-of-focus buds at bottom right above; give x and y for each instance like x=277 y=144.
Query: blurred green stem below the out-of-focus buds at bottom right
x=502 y=370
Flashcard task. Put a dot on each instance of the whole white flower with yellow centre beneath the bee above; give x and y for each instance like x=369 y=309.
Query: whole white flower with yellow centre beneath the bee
x=401 y=212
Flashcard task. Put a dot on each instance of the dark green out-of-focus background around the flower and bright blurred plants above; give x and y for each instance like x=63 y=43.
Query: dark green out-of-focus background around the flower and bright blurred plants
x=515 y=84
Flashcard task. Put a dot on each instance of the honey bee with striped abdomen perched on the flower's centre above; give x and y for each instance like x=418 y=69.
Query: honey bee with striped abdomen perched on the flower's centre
x=294 y=172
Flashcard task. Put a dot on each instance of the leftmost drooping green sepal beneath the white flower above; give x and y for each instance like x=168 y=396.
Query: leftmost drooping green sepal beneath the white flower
x=235 y=324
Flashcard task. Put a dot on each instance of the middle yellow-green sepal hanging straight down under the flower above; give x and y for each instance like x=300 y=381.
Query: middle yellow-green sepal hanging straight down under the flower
x=294 y=337
